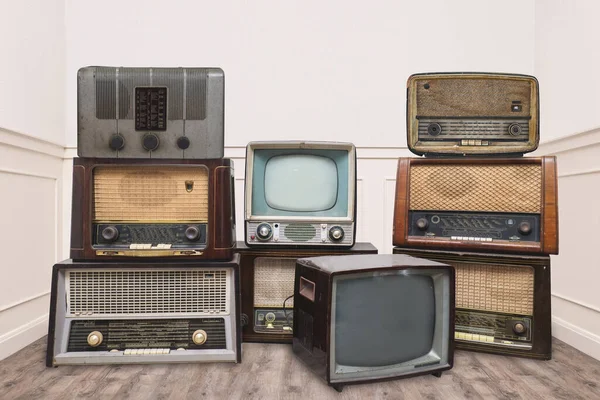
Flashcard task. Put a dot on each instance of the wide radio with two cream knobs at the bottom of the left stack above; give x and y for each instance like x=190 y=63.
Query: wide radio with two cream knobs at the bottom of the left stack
x=123 y=313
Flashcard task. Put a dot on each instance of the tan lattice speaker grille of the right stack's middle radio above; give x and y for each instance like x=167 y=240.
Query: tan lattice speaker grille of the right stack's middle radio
x=499 y=188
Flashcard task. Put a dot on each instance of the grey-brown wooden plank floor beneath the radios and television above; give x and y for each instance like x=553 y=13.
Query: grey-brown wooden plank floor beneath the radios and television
x=273 y=372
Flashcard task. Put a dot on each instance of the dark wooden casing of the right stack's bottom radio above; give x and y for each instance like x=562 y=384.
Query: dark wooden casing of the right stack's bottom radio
x=542 y=310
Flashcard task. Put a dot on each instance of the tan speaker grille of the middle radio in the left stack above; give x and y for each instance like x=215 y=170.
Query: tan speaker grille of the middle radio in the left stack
x=150 y=194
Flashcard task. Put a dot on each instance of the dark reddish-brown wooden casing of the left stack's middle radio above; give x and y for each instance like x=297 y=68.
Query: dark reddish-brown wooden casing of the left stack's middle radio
x=221 y=214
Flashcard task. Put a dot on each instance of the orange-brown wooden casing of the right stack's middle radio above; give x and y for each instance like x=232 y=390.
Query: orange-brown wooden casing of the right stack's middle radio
x=549 y=208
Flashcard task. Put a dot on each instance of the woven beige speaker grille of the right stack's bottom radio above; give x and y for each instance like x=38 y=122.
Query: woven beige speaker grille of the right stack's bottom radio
x=496 y=288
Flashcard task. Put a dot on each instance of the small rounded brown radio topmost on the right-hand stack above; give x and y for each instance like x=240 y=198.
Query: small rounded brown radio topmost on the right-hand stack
x=472 y=113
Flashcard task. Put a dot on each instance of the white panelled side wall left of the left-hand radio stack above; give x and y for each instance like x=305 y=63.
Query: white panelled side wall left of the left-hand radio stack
x=32 y=138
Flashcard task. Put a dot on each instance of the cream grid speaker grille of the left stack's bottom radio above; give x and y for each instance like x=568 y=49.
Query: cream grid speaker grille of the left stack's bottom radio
x=133 y=292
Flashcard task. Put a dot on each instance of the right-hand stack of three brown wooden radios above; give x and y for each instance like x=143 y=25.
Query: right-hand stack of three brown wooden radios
x=474 y=202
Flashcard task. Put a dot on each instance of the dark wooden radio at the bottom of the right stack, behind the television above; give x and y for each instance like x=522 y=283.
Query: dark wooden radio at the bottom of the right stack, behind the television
x=502 y=302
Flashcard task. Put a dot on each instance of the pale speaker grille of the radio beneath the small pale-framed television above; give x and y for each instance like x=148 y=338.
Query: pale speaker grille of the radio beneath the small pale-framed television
x=274 y=281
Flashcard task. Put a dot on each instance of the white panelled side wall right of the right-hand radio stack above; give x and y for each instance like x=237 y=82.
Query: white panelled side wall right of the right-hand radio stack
x=567 y=63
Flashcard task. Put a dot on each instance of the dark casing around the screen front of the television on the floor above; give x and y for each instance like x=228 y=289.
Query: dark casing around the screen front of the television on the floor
x=318 y=358
